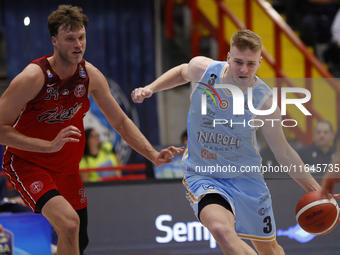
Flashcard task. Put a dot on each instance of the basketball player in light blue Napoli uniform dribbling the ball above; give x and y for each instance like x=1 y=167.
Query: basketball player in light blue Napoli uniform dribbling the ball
x=230 y=202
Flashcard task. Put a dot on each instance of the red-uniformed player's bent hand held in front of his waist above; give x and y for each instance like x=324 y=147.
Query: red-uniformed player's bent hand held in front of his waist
x=65 y=135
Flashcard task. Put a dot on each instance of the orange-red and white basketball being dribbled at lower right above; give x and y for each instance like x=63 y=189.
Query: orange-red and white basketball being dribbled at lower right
x=315 y=215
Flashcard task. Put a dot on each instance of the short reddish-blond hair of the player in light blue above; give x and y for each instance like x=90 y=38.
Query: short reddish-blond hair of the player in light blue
x=246 y=39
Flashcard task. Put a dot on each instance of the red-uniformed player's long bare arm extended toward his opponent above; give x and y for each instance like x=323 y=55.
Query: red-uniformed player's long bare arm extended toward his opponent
x=100 y=92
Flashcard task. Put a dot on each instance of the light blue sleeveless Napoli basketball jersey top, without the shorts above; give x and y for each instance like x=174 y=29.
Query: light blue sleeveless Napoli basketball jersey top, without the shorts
x=223 y=150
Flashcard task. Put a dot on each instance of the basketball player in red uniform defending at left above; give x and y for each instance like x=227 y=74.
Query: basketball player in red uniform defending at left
x=41 y=125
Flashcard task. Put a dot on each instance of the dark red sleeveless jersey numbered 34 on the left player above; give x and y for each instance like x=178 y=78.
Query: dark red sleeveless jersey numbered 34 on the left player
x=60 y=103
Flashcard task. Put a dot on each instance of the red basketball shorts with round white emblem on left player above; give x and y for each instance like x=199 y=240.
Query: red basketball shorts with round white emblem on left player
x=34 y=182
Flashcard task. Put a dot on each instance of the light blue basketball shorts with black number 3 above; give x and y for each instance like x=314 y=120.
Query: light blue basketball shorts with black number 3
x=249 y=199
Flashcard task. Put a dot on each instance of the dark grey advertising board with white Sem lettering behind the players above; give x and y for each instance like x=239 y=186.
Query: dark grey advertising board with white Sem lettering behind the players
x=155 y=218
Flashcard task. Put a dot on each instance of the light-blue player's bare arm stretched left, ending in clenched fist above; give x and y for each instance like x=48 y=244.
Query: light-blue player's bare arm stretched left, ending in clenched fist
x=176 y=76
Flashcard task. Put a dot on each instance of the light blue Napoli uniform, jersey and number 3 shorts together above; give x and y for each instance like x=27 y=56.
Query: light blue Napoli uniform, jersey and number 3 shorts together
x=218 y=155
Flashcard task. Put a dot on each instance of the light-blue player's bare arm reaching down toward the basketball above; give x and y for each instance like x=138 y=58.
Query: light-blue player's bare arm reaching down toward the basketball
x=284 y=153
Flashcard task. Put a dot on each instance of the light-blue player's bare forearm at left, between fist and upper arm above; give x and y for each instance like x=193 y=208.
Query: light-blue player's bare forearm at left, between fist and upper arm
x=170 y=79
